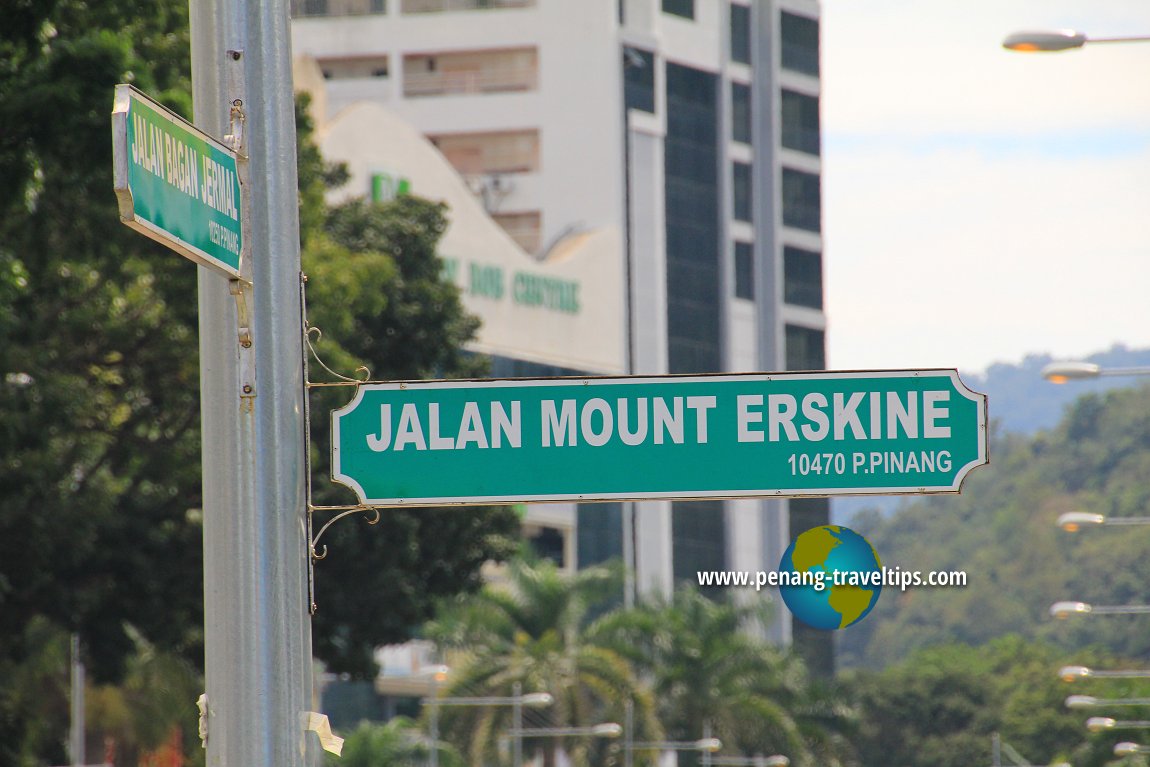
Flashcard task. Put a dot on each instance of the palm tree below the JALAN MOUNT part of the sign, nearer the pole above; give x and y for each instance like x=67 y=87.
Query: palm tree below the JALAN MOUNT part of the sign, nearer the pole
x=532 y=633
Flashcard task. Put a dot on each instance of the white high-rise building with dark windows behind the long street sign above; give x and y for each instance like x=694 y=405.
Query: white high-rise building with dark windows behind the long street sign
x=689 y=129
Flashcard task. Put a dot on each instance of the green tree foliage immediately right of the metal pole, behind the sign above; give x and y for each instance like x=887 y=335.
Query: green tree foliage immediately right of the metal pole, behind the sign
x=375 y=293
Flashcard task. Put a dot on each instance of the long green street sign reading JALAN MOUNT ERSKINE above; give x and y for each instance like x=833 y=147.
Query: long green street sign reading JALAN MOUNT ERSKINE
x=685 y=438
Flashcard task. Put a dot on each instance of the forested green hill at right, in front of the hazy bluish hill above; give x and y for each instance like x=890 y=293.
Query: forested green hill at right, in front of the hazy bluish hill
x=1002 y=532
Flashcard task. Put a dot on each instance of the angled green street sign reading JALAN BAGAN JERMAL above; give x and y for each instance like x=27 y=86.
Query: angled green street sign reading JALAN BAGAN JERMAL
x=175 y=183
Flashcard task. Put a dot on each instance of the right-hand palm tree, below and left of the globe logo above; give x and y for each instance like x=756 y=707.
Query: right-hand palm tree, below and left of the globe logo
x=708 y=669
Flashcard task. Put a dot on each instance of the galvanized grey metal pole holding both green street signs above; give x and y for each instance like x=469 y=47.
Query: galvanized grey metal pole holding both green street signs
x=258 y=643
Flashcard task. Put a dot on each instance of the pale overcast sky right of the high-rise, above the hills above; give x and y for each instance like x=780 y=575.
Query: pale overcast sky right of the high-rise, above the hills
x=980 y=205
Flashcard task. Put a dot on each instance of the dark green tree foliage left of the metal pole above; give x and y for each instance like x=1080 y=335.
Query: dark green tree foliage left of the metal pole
x=98 y=377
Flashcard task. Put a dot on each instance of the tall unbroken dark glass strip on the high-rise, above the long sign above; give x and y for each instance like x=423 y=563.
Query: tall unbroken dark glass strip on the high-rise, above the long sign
x=695 y=248
